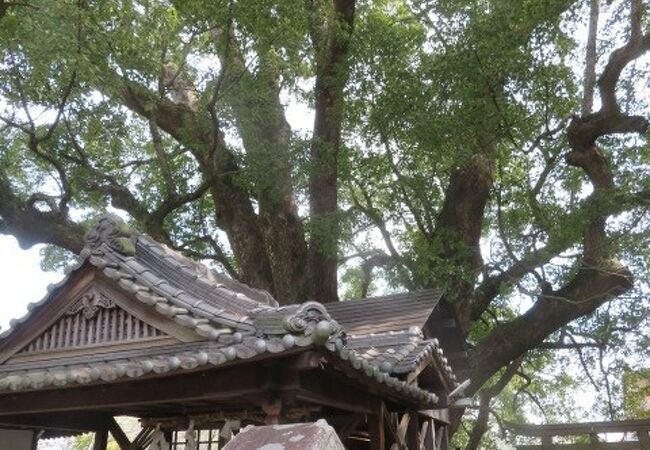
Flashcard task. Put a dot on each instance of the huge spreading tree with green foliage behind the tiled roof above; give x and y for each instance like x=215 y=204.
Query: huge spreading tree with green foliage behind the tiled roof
x=413 y=144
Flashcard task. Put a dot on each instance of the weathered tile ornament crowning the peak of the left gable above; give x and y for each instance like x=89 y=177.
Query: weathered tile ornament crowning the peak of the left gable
x=112 y=231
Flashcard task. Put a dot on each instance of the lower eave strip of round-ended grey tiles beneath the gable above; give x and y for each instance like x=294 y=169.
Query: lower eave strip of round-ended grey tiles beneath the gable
x=124 y=365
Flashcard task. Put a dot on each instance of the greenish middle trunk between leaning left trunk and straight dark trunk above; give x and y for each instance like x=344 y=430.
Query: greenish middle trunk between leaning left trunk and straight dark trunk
x=266 y=134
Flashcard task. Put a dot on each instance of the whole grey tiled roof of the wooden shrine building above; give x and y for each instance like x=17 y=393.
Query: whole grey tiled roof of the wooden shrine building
x=236 y=321
